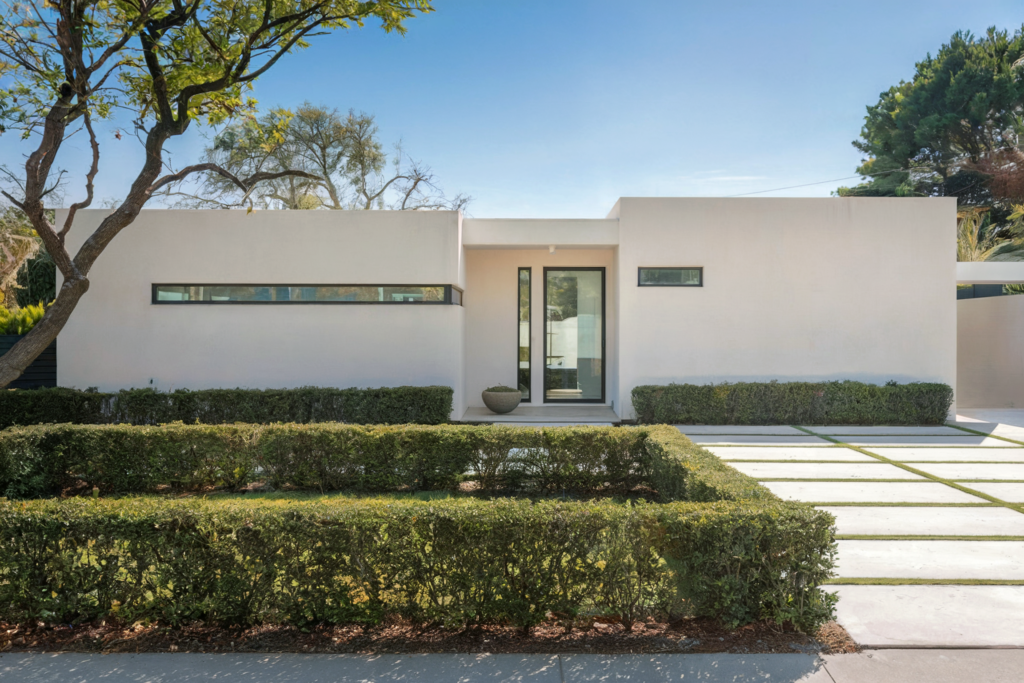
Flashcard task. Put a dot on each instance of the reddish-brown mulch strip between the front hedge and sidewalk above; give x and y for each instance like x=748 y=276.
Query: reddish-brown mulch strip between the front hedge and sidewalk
x=600 y=637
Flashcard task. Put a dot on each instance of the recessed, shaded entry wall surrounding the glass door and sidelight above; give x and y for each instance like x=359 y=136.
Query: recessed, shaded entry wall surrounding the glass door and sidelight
x=492 y=316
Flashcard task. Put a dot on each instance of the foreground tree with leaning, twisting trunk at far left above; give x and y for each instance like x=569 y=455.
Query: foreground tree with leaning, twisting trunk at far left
x=165 y=65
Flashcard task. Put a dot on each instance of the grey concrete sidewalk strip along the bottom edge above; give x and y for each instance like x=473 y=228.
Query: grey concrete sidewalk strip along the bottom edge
x=872 y=667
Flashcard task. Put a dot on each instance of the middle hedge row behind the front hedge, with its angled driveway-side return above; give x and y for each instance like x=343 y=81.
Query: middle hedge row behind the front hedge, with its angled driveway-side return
x=49 y=460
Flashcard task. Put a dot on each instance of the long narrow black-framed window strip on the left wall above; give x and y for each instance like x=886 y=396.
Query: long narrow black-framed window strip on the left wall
x=283 y=294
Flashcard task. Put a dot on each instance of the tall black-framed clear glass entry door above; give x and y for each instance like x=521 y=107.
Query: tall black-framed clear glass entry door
x=574 y=331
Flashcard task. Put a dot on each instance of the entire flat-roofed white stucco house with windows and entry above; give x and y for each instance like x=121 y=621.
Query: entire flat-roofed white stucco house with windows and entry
x=573 y=312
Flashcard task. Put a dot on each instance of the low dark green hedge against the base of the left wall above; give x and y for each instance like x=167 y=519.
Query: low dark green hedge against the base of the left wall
x=432 y=405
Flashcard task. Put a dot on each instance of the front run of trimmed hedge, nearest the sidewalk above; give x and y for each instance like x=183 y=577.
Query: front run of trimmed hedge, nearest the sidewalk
x=289 y=560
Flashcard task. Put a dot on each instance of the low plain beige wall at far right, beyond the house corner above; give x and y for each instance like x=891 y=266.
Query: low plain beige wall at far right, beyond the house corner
x=991 y=353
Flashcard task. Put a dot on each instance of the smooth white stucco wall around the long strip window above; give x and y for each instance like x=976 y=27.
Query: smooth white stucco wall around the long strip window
x=118 y=339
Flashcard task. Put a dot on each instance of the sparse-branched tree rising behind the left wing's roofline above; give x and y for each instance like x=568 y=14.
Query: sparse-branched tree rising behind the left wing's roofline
x=346 y=163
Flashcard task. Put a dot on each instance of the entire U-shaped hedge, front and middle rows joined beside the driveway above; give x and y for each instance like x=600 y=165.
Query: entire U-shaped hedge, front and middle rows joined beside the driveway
x=717 y=545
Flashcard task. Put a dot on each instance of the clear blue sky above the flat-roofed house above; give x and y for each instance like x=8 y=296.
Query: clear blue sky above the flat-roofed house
x=558 y=108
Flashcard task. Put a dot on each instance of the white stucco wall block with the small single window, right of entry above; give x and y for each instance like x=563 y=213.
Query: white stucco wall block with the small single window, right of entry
x=795 y=289
